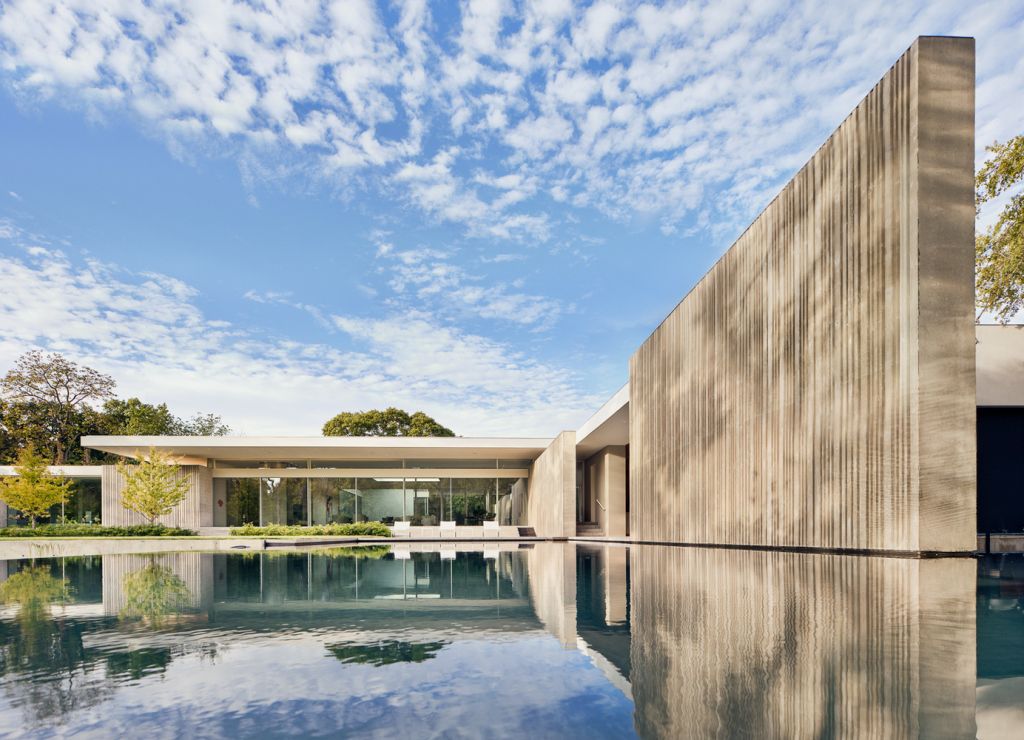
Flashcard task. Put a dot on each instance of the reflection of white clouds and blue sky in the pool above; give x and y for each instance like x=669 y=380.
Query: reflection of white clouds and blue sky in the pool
x=471 y=689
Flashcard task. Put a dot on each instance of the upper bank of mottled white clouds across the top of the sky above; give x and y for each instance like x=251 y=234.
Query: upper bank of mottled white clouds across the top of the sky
x=679 y=111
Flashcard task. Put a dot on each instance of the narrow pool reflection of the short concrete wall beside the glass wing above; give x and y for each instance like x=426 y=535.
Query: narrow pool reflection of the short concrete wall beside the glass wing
x=553 y=590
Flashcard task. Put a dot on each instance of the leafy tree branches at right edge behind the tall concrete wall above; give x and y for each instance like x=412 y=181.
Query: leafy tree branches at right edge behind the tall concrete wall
x=1000 y=251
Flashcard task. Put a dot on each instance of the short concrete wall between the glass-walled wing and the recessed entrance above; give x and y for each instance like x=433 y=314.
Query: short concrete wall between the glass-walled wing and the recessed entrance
x=551 y=505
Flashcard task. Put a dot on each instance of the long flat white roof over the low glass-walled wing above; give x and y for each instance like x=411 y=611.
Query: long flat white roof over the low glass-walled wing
x=271 y=449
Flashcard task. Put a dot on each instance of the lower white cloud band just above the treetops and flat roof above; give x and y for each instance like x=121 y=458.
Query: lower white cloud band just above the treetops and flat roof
x=147 y=331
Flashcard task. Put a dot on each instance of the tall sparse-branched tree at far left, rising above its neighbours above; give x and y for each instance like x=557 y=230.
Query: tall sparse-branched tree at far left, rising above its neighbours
x=61 y=388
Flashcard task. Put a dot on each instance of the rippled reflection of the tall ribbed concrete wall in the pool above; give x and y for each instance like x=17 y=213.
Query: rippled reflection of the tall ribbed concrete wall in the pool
x=787 y=645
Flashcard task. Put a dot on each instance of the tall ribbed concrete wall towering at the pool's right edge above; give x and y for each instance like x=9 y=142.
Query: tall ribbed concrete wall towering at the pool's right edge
x=817 y=387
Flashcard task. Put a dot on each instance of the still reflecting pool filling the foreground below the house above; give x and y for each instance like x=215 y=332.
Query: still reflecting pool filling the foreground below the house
x=550 y=640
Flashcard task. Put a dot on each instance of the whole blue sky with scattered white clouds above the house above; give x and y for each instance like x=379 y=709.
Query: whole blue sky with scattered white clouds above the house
x=280 y=211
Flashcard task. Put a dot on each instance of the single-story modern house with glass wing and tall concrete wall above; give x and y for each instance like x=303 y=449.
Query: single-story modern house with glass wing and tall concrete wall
x=824 y=386
